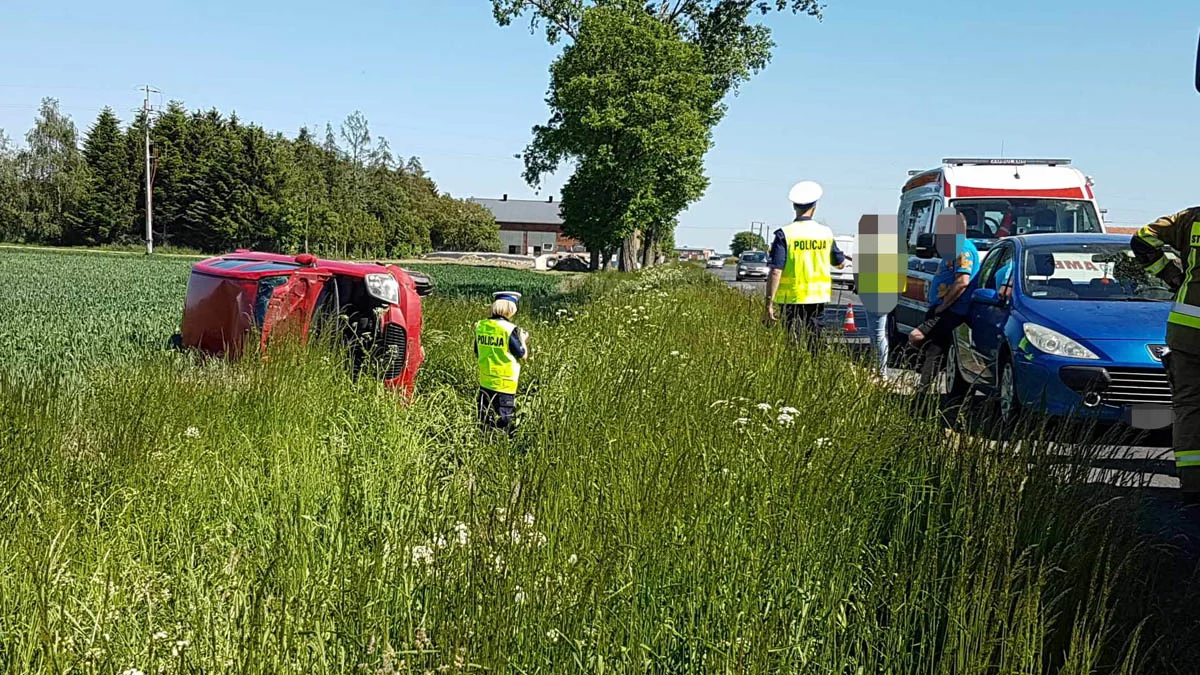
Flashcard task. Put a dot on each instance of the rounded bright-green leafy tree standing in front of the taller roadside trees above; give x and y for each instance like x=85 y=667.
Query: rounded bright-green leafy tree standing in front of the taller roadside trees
x=633 y=106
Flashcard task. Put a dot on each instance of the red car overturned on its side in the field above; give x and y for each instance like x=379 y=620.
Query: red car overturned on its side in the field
x=374 y=309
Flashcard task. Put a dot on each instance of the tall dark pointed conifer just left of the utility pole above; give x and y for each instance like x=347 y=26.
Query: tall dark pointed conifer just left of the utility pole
x=109 y=210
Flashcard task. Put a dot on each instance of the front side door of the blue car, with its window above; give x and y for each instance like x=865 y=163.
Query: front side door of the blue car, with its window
x=991 y=310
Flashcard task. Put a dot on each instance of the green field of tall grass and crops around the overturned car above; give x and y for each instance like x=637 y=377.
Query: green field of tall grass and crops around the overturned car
x=687 y=494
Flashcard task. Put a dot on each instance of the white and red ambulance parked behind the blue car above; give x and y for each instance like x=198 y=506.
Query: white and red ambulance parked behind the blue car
x=998 y=198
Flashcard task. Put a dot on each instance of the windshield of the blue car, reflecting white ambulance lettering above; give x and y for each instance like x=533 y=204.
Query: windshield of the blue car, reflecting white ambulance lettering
x=1089 y=272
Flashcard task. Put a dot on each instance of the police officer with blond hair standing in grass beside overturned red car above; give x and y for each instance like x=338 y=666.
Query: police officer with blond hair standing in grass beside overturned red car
x=500 y=349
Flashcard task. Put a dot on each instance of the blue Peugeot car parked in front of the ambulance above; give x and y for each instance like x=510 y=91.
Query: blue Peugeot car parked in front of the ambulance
x=1067 y=325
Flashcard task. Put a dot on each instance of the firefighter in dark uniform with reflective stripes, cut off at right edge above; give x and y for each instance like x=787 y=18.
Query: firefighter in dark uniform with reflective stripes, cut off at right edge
x=1183 y=360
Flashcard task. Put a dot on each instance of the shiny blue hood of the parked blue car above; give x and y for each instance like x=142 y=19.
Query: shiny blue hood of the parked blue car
x=1096 y=320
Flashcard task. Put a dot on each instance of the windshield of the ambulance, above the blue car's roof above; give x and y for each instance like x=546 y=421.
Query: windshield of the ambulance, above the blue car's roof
x=993 y=219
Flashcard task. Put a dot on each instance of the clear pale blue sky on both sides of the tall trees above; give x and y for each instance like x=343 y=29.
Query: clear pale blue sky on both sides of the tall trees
x=855 y=101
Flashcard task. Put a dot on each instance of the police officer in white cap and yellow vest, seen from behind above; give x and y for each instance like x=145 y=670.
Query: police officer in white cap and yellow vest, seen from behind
x=801 y=256
